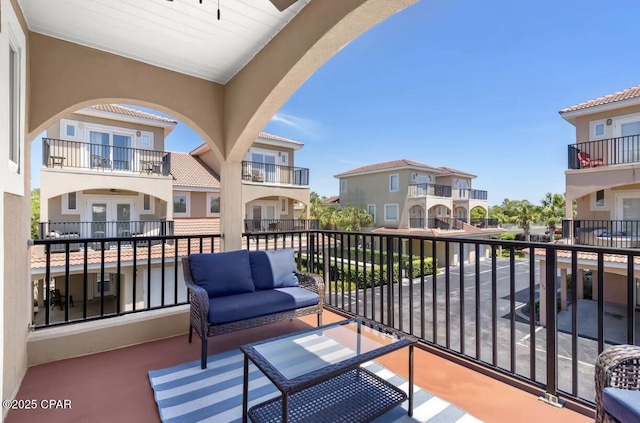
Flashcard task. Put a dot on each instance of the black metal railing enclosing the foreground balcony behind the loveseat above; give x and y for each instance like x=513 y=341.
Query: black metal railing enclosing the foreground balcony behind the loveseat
x=477 y=312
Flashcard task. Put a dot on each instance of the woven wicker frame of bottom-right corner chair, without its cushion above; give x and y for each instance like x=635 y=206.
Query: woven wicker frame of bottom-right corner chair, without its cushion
x=616 y=367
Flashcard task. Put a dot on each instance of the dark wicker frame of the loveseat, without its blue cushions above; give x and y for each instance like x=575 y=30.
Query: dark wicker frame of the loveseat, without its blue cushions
x=199 y=300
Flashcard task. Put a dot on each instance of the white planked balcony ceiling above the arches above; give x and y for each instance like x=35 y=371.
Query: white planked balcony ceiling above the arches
x=182 y=35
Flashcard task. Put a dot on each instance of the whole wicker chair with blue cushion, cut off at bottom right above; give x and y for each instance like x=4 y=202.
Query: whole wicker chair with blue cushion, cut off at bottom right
x=617 y=377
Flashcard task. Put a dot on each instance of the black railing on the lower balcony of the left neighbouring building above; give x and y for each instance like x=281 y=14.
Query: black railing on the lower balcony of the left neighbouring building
x=112 y=229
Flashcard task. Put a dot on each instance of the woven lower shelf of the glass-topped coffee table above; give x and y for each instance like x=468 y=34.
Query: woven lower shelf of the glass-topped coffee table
x=355 y=396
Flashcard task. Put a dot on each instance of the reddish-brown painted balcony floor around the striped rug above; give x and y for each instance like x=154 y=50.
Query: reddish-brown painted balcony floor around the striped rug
x=114 y=385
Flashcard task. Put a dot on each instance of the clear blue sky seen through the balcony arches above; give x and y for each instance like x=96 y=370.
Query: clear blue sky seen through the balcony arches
x=471 y=85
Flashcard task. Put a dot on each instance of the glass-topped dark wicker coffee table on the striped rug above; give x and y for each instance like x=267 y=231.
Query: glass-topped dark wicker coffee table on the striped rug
x=319 y=375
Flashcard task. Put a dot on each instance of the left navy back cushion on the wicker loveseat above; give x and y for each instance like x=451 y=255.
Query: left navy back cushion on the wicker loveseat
x=223 y=274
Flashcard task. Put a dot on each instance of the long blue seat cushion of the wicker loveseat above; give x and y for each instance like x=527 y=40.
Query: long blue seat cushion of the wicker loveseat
x=259 y=303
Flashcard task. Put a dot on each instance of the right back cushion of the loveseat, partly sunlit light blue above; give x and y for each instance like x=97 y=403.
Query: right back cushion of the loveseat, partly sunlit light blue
x=273 y=269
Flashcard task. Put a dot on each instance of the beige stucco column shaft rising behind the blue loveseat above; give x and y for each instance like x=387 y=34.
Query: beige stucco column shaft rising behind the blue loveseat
x=231 y=213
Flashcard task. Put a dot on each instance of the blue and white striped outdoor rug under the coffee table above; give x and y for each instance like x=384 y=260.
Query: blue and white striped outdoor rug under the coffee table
x=186 y=393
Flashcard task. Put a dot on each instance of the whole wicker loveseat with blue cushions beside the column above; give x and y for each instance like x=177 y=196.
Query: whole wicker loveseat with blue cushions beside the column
x=242 y=289
